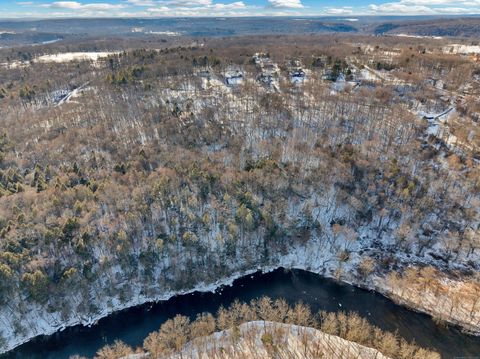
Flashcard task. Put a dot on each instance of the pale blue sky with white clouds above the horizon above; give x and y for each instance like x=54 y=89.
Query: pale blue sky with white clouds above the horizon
x=182 y=8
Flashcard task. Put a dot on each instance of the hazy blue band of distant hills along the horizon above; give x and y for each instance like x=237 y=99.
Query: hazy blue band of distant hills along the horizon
x=37 y=31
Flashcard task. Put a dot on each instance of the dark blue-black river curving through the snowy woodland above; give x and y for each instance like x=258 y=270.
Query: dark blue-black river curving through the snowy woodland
x=133 y=325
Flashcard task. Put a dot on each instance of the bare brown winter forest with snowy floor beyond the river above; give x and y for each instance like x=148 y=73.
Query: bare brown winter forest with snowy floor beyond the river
x=130 y=176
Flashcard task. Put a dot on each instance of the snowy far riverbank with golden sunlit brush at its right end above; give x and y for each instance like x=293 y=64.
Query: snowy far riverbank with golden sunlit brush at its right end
x=314 y=256
